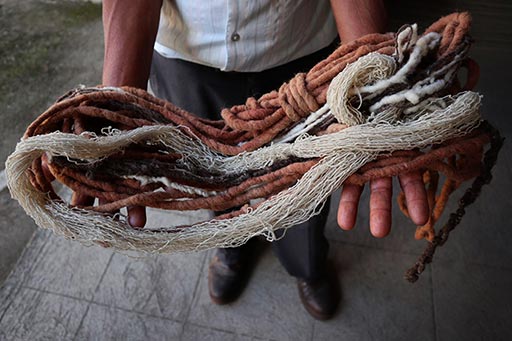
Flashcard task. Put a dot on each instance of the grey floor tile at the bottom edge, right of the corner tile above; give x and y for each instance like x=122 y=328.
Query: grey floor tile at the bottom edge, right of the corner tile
x=107 y=323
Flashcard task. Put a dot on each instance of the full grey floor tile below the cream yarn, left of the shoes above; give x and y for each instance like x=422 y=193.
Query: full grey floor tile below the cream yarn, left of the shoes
x=162 y=285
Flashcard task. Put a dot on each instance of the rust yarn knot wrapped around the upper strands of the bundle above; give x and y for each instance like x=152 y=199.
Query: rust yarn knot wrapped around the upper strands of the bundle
x=295 y=99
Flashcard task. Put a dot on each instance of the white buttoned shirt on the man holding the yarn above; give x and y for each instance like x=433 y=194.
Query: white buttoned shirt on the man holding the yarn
x=244 y=35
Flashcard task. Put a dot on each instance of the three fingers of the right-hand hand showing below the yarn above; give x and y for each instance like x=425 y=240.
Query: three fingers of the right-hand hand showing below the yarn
x=380 y=203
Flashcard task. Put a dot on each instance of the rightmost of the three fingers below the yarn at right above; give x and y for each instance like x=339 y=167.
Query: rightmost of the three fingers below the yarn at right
x=415 y=196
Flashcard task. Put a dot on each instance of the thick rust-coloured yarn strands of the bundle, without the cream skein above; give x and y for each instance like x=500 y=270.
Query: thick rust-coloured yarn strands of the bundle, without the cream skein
x=247 y=127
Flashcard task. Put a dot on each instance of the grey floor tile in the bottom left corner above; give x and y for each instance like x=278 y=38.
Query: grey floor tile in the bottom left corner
x=34 y=315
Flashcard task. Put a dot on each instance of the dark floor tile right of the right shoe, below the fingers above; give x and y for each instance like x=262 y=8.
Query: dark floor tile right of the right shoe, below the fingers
x=377 y=303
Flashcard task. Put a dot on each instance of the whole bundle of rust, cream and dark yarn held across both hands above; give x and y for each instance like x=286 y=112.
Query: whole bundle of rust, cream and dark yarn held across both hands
x=383 y=105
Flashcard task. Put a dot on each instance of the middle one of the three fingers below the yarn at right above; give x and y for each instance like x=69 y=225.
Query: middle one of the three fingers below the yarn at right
x=380 y=206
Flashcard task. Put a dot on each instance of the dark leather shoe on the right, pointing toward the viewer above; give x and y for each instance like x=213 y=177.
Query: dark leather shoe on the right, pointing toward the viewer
x=320 y=297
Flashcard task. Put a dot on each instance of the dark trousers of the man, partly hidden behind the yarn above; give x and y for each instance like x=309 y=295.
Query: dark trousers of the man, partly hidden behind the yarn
x=204 y=91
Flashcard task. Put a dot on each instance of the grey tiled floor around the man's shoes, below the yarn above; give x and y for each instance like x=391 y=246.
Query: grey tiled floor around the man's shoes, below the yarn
x=63 y=290
